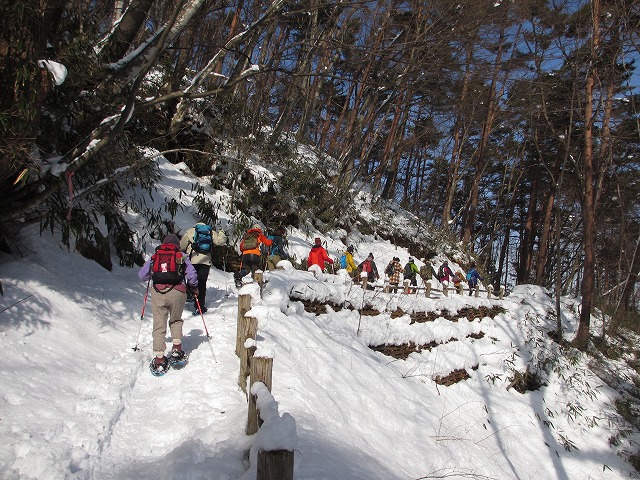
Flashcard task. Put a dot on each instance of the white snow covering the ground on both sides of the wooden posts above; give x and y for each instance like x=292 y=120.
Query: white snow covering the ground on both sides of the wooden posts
x=78 y=402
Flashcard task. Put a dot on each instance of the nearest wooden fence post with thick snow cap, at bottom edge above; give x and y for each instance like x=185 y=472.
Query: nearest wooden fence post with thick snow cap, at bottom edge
x=276 y=440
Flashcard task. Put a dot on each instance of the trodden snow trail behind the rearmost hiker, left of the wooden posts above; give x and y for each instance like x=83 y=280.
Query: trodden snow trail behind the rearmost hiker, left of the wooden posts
x=172 y=426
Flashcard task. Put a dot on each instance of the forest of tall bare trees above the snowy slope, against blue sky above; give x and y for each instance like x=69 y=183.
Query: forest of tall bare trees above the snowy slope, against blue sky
x=511 y=124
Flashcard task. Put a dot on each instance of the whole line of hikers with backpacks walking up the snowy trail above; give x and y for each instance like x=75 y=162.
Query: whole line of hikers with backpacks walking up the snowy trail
x=179 y=270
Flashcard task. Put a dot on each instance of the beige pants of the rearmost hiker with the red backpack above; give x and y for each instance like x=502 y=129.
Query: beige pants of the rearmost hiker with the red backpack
x=167 y=306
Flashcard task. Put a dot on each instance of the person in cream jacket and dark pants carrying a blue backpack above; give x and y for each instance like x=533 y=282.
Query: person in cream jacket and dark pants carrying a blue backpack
x=197 y=242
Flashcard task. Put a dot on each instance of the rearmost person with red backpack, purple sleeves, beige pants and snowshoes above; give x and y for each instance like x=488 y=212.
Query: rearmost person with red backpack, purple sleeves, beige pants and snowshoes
x=168 y=268
